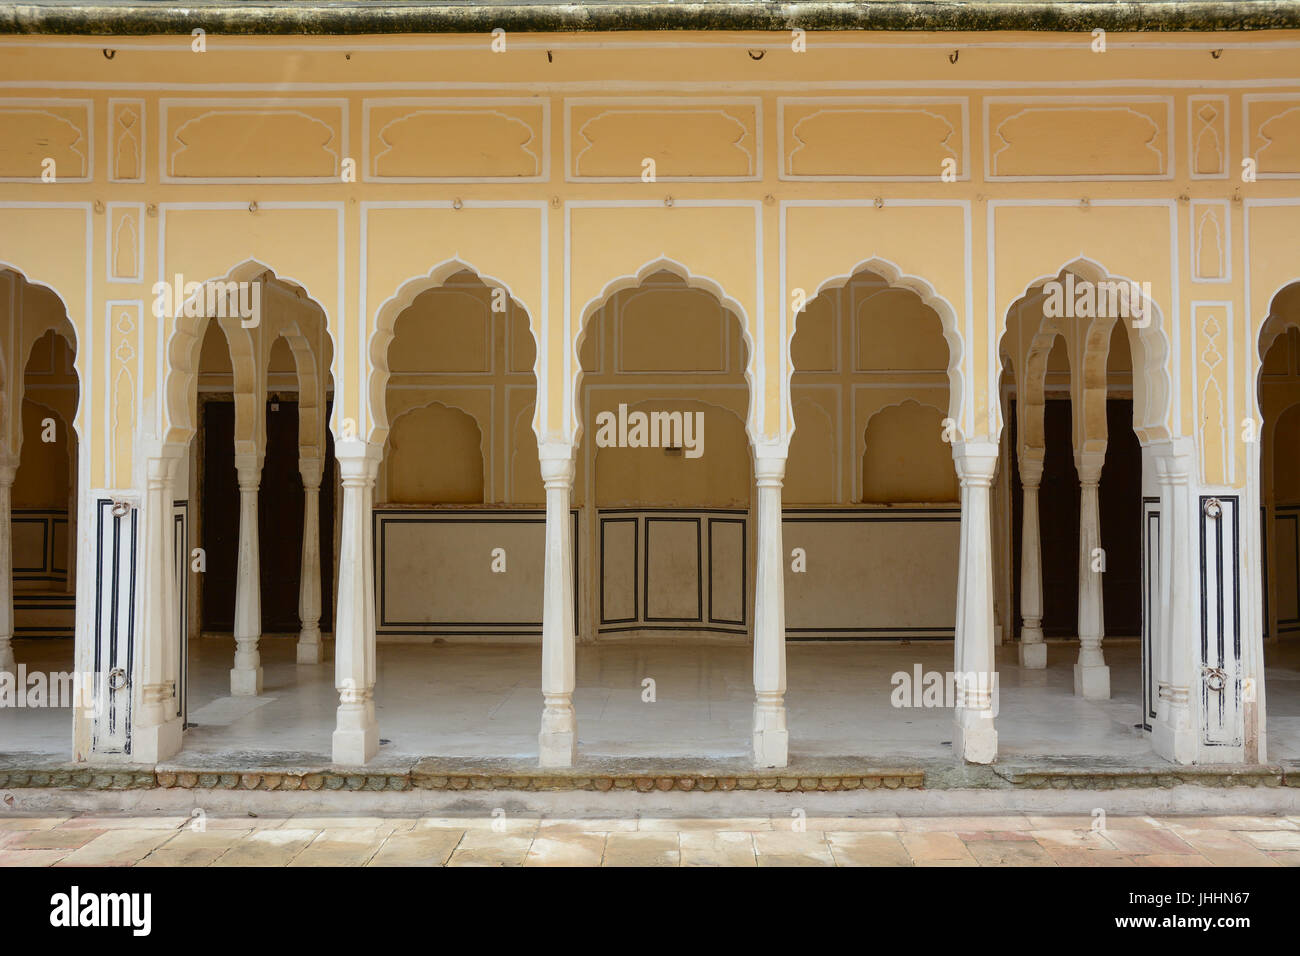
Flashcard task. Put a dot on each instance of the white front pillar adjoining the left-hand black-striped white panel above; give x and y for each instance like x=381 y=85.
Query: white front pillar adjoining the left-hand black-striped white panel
x=157 y=730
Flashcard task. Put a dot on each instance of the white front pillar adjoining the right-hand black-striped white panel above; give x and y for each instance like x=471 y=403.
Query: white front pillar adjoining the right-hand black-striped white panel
x=1173 y=733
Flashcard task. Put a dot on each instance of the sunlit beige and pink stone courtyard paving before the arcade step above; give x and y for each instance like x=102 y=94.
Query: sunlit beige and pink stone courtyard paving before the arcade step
x=1013 y=840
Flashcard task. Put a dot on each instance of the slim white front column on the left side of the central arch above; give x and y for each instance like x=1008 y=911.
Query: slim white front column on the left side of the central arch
x=557 y=743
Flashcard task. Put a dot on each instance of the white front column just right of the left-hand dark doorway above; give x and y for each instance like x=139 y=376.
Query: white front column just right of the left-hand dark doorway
x=357 y=734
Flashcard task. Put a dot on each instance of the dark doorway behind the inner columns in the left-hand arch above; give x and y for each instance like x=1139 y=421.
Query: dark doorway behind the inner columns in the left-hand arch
x=280 y=521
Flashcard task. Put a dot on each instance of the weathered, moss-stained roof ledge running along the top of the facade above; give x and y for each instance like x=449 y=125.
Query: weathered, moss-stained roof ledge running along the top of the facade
x=318 y=18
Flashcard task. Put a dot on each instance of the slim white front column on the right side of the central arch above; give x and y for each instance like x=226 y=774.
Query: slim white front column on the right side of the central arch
x=772 y=736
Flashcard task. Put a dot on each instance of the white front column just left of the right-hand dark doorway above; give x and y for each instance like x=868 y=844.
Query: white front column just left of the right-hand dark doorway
x=974 y=733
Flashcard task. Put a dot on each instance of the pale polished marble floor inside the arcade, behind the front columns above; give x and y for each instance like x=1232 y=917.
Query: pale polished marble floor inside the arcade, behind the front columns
x=462 y=700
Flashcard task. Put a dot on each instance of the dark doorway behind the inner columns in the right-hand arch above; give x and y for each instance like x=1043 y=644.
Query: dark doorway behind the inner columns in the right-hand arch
x=1120 y=501
